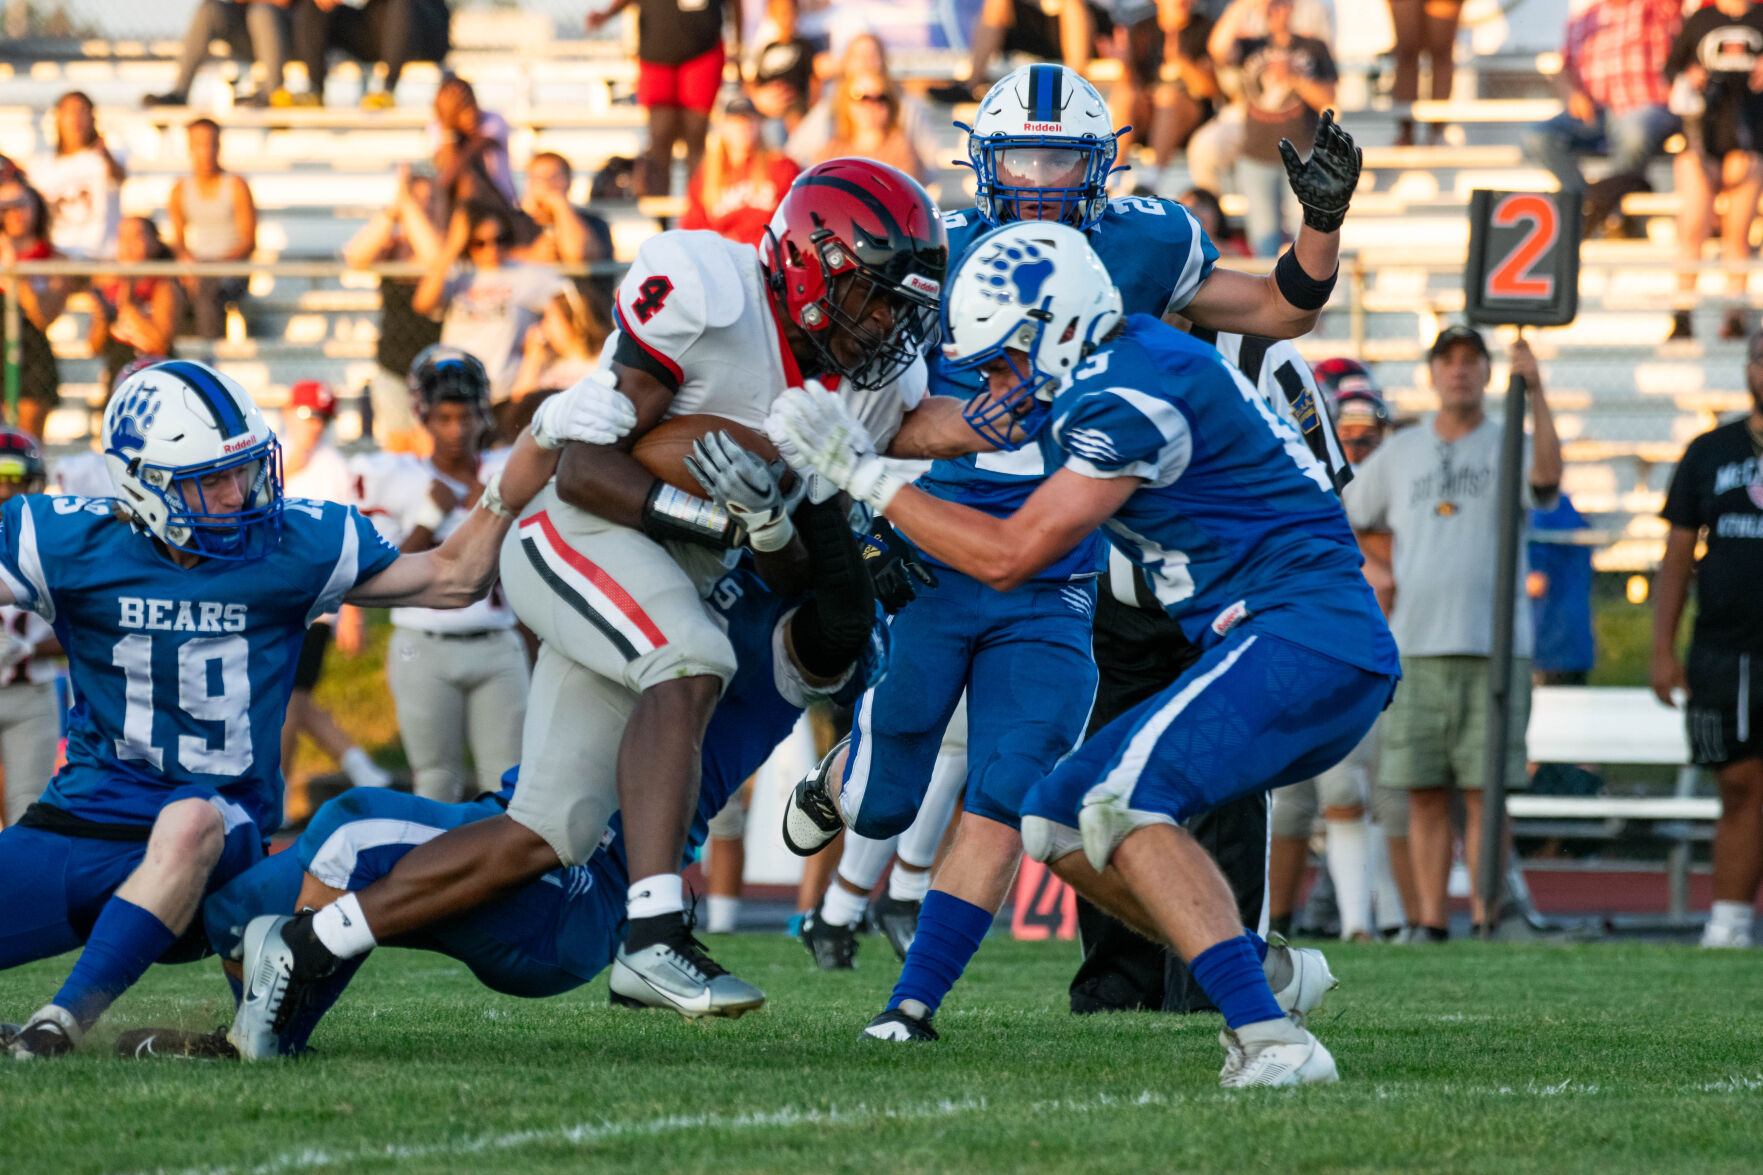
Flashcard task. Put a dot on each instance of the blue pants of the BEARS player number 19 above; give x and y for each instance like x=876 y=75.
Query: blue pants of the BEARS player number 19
x=54 y=885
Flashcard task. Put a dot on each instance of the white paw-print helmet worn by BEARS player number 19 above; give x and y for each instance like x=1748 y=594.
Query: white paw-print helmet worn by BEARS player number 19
x=172 y=437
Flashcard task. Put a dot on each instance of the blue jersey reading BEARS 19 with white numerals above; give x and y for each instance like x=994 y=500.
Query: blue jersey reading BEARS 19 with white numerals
x=182 y=673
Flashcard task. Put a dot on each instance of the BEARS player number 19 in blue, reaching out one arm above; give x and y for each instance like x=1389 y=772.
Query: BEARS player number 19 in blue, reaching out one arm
x=182 y=604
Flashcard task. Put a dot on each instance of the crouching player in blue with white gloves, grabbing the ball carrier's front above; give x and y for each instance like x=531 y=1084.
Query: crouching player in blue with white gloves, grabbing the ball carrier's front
x=1196 y=481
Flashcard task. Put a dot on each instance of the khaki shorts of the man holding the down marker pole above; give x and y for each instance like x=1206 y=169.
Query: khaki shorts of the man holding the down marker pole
x=1436 y=731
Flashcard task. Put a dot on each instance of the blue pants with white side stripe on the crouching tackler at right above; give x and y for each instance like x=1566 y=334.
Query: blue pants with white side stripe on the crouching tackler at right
x=1254 y=714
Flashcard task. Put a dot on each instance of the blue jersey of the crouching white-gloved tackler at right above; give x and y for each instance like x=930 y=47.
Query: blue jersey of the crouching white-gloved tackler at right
x=1237 y=518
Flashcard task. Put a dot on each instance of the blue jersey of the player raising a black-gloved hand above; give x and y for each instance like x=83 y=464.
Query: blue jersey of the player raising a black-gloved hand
x=1157 y=255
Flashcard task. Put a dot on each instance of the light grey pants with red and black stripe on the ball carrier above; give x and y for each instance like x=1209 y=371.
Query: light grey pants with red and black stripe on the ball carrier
x=616 y=617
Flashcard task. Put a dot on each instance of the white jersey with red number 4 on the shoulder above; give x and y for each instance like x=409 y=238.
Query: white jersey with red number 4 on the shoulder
x=697 y=304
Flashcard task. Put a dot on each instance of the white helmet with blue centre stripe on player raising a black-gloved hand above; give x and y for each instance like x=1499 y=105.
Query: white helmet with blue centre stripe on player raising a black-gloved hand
x=1043 y=147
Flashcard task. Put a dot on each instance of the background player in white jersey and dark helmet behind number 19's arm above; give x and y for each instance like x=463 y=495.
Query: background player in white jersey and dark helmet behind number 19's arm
x=457 y=677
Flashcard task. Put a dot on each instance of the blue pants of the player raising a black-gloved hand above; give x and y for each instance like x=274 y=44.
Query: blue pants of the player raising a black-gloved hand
x=1025 y=661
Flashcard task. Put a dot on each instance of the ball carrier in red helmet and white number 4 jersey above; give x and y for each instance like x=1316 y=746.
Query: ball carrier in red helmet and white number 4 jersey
x=609 y=564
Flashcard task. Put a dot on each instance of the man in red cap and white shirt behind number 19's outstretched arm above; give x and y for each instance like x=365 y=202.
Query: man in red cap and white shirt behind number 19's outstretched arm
x=316 y=468
